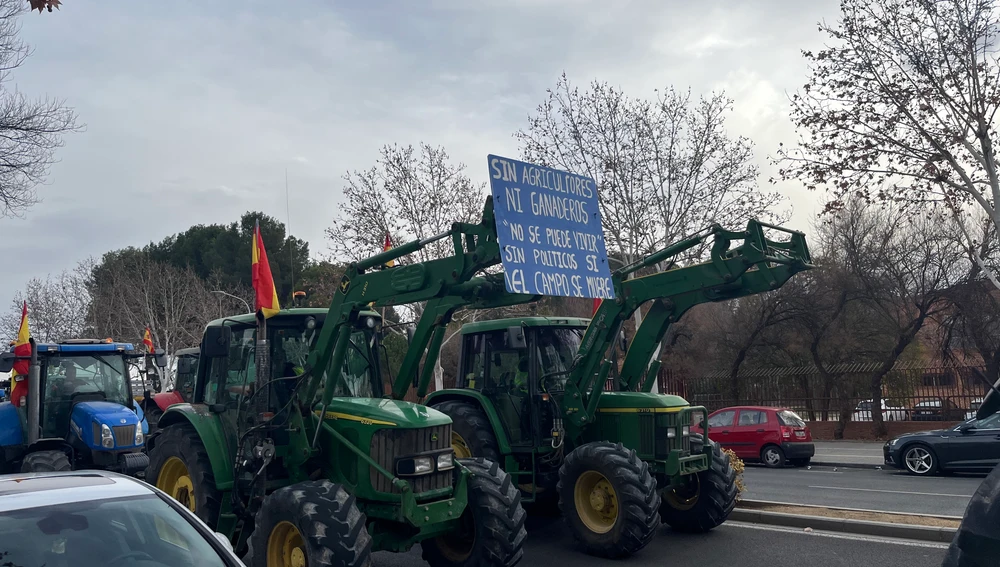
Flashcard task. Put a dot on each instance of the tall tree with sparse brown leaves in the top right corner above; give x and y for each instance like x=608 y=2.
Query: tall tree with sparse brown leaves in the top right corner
x=901 y=109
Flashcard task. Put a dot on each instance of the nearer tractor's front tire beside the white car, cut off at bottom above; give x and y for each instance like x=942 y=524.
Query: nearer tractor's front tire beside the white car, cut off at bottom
x=316 y=521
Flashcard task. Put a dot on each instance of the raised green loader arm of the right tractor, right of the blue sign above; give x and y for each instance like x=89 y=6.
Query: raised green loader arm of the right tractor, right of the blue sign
x=755 y=266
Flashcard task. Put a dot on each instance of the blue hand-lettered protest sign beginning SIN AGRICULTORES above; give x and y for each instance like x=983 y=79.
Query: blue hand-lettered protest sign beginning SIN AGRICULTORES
x=549 y=230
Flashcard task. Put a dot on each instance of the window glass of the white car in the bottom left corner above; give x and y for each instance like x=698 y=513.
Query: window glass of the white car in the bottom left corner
x=137 y=531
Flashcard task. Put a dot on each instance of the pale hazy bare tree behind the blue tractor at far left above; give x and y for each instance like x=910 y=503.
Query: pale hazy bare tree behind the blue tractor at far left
x=57 y=306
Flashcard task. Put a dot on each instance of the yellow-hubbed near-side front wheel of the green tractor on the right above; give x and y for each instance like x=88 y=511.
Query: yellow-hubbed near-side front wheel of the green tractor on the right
x=632 y=501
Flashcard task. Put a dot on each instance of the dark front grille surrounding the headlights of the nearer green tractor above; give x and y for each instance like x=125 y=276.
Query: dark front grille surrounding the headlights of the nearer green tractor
x=390 y=444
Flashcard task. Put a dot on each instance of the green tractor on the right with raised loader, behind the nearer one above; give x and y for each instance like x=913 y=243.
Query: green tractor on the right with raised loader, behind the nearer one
x=530 y=395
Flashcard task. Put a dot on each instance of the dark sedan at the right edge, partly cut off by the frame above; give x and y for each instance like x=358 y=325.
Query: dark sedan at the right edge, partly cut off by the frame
x=969 y=446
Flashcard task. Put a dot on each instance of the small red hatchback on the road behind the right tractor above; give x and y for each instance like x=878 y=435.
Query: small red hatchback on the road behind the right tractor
x=770 y=435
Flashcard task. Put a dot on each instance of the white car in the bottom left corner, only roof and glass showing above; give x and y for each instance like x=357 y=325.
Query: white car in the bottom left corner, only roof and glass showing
x=101 y=519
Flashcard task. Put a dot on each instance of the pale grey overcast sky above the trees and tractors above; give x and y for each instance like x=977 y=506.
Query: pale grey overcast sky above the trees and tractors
x=195 y=109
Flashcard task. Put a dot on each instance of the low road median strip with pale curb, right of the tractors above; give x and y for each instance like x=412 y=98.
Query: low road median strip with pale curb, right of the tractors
x=859 y=527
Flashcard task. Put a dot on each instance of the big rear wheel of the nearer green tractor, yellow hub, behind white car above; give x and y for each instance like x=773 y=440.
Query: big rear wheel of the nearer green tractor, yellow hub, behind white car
x=179 y=466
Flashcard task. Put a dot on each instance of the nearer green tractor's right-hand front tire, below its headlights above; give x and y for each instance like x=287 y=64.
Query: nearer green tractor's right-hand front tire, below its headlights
x=492 y=532
